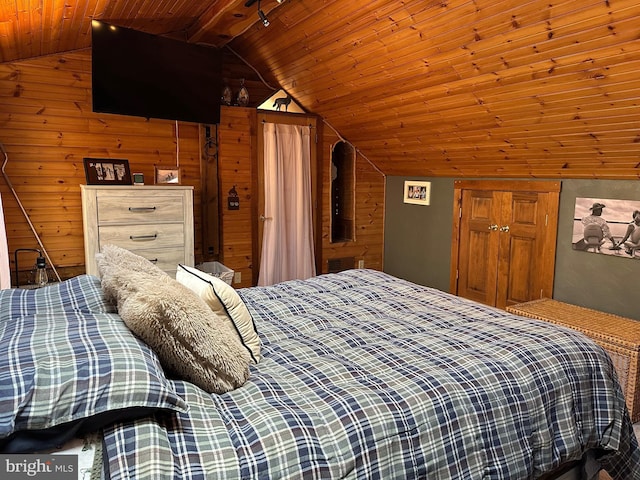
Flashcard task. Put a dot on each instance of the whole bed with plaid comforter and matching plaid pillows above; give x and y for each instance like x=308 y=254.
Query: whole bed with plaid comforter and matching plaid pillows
x=361 y=375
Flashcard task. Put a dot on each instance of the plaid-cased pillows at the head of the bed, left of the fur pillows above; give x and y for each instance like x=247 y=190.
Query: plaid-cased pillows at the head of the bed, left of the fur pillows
x=68 y=364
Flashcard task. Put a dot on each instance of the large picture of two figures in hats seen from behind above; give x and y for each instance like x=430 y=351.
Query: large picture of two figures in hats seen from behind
x=607 y=226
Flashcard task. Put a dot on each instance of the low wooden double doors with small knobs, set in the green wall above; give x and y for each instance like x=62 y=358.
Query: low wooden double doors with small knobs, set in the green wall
x=504 y=241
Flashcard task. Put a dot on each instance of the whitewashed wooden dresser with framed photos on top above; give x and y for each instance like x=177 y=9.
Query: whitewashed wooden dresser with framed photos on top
x=155 y=222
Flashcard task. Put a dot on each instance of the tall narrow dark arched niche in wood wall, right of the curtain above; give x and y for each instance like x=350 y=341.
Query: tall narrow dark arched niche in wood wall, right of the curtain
x=343 y=159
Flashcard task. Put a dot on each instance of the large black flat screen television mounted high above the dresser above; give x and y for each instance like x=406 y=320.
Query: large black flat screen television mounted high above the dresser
x=136 y=73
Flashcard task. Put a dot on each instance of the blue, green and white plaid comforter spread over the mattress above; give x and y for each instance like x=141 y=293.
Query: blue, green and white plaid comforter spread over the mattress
x=367 y=376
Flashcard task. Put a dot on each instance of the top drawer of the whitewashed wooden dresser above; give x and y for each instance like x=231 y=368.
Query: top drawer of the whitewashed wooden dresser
x=139 y=209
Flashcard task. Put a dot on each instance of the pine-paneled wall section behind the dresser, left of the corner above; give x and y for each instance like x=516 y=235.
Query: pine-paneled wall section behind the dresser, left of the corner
x=47 y=128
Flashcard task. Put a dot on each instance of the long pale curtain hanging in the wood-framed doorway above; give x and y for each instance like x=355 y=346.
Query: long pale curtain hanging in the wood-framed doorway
x=287 y=242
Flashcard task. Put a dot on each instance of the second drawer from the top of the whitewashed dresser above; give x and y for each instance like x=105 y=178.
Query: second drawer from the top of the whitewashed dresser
x=142 y=236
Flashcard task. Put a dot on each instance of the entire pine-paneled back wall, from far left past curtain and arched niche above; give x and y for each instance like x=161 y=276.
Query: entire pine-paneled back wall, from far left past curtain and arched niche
x=47 y=128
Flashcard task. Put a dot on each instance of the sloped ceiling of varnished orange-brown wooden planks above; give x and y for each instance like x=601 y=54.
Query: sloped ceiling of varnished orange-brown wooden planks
x=458 y=88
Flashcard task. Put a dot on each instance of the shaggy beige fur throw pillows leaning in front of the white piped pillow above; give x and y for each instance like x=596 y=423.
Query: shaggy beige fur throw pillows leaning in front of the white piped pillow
x=187 y=336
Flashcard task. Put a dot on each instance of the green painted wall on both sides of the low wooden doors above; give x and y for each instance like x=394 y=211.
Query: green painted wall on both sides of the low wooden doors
x=418 y=239
